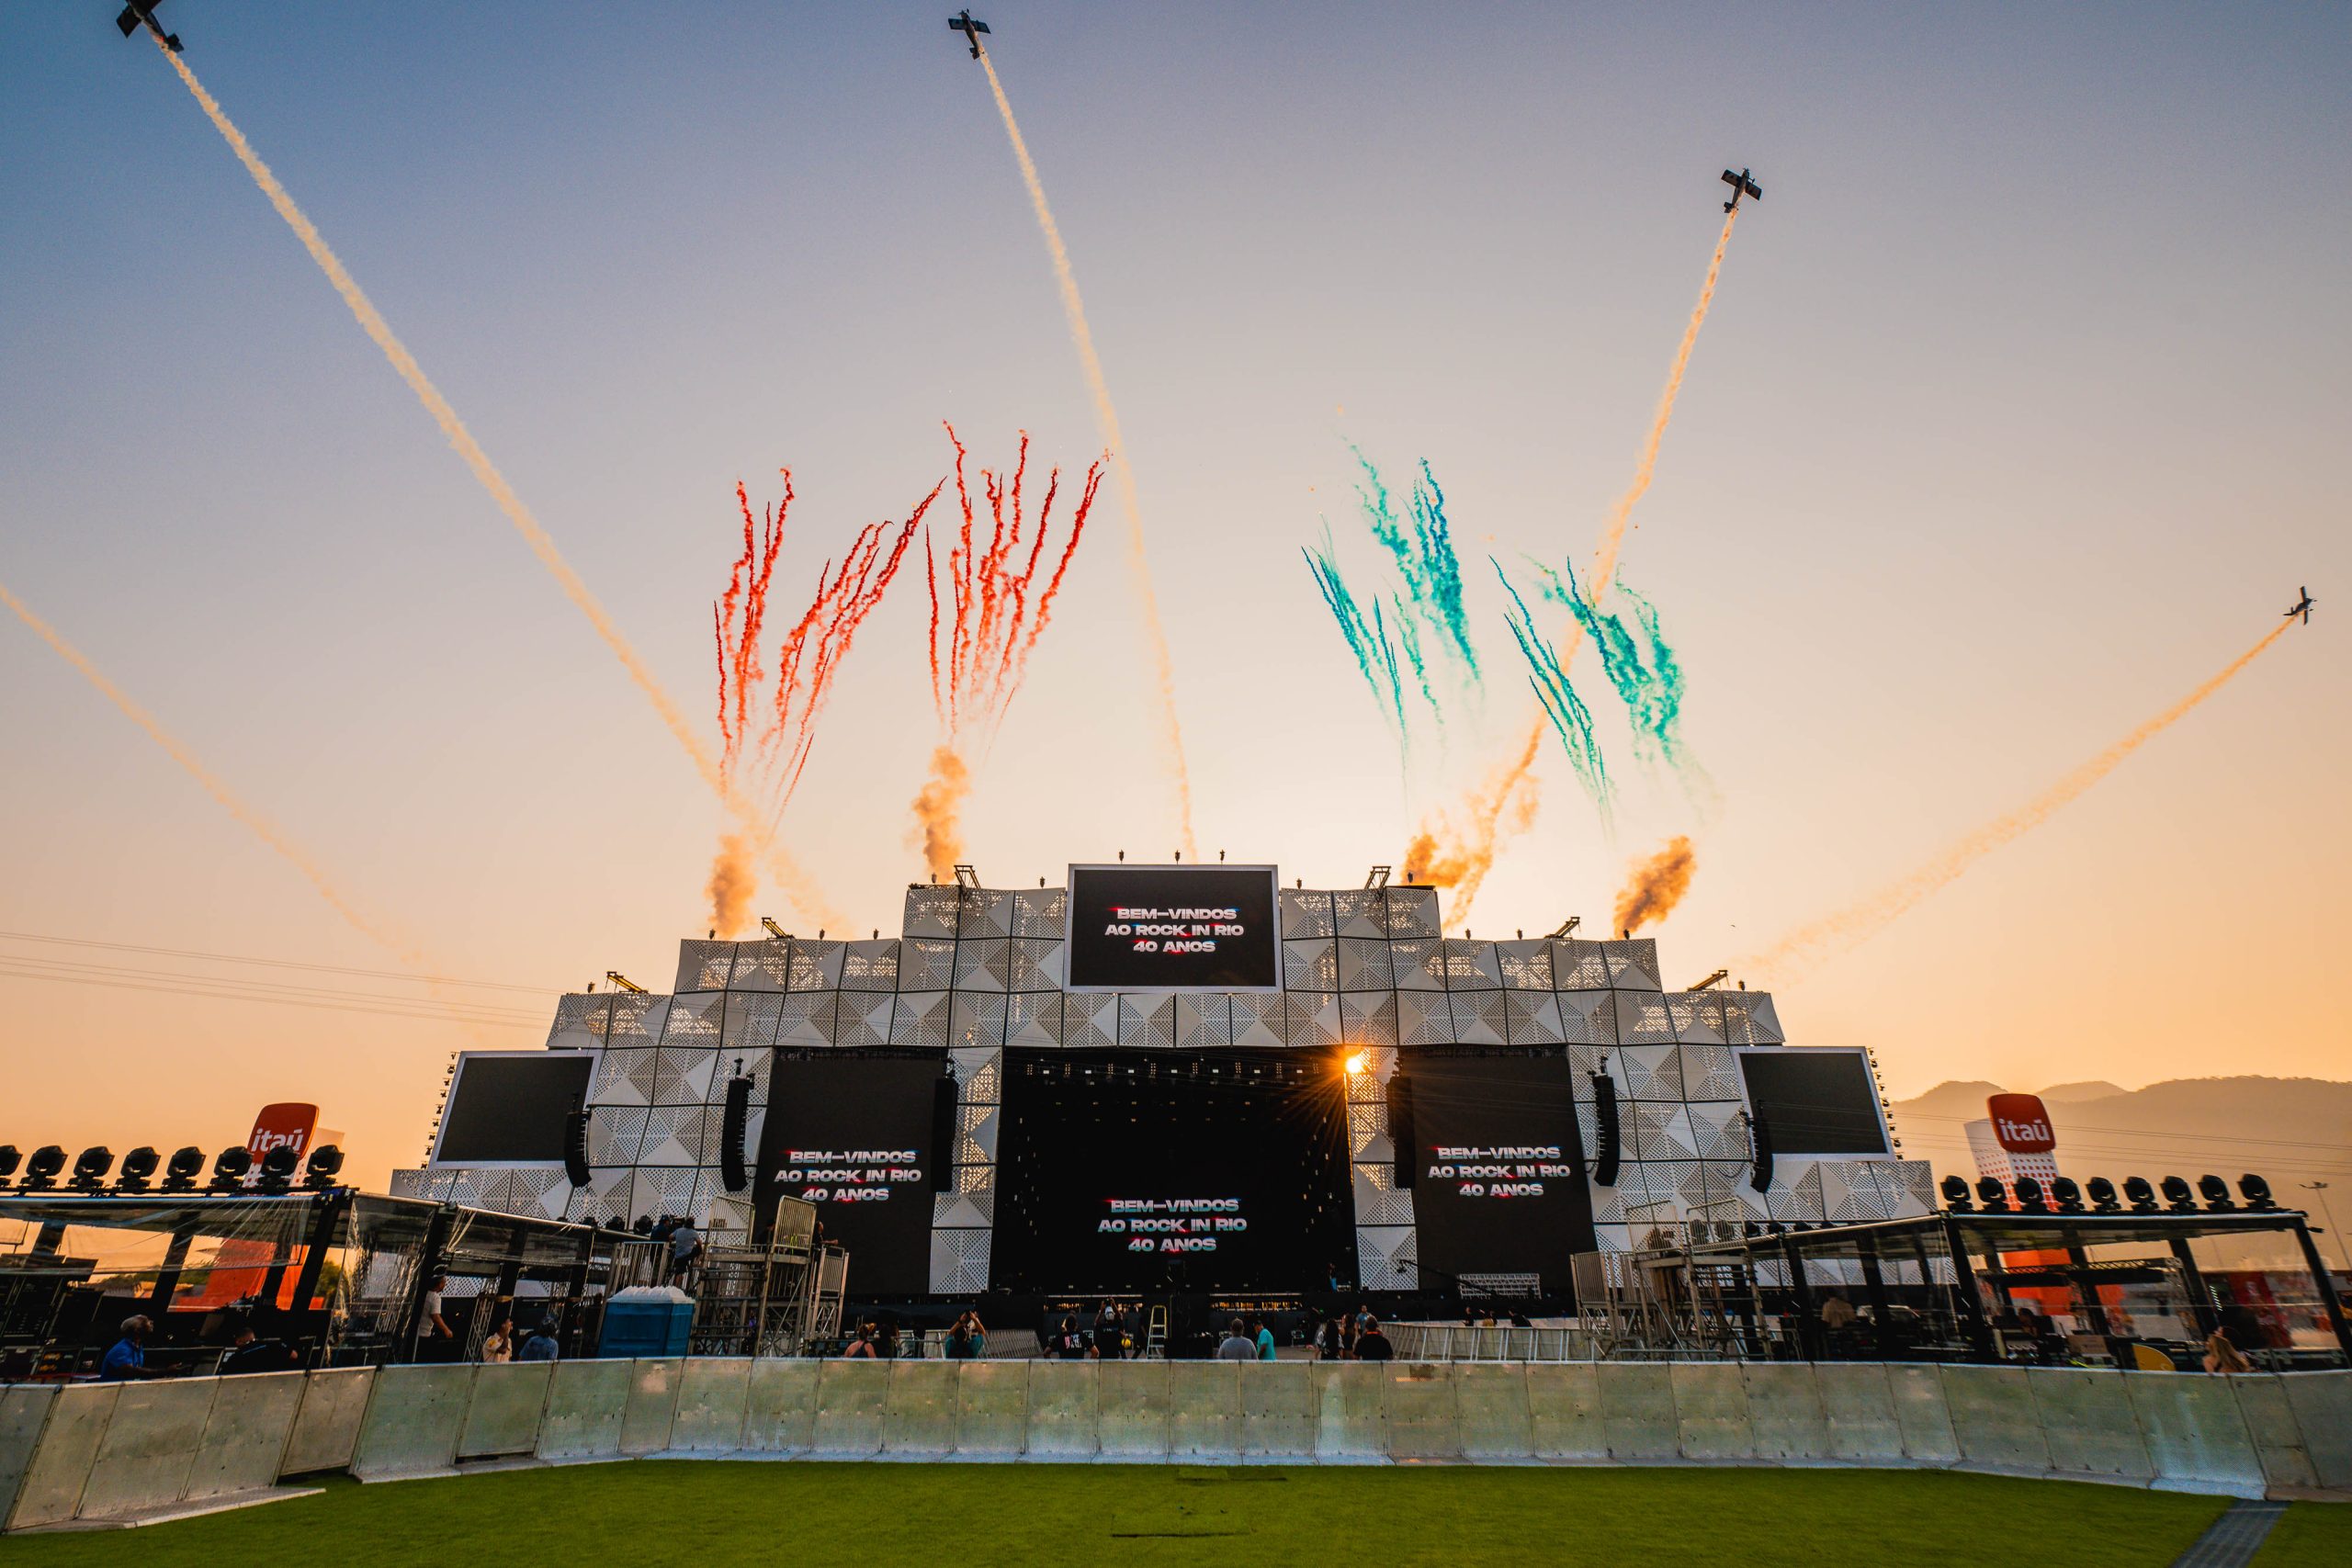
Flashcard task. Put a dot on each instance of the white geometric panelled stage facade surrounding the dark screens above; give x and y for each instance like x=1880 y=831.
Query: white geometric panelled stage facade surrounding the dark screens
x=980 y=970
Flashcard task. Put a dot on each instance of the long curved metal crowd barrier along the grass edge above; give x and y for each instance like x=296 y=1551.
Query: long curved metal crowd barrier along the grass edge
x=149 y=1449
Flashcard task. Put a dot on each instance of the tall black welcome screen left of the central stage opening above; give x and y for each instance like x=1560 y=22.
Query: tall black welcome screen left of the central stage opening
x=853 y=1134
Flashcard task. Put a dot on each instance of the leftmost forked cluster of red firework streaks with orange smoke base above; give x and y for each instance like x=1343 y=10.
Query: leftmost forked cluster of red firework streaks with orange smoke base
x=768 y=713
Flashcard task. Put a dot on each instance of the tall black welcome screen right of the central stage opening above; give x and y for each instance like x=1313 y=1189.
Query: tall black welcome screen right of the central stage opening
x=1499 y=1165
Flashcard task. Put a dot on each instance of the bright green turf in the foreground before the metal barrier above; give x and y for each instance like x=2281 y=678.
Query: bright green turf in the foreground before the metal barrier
x=973 y=1515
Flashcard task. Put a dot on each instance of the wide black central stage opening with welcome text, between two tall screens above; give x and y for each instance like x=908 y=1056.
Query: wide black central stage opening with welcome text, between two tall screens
x=1172 y=1172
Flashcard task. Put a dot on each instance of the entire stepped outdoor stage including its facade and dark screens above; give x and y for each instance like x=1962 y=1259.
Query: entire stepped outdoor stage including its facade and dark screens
x=1184 y=1085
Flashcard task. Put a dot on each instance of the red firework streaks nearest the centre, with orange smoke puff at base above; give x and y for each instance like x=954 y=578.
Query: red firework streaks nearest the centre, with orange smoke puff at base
x=996 y=617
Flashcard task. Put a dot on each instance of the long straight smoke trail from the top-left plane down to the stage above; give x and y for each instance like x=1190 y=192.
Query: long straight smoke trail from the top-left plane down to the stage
x=789 y=873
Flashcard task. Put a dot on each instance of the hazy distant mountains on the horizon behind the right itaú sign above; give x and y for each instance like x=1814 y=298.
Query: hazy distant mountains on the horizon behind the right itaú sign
x=2290 y=1132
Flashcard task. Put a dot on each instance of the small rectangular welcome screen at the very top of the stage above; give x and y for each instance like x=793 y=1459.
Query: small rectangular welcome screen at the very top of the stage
x=1172 y=927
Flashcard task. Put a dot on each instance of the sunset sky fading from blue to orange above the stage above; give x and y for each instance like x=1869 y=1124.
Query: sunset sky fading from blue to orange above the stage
x=2019 y=415
